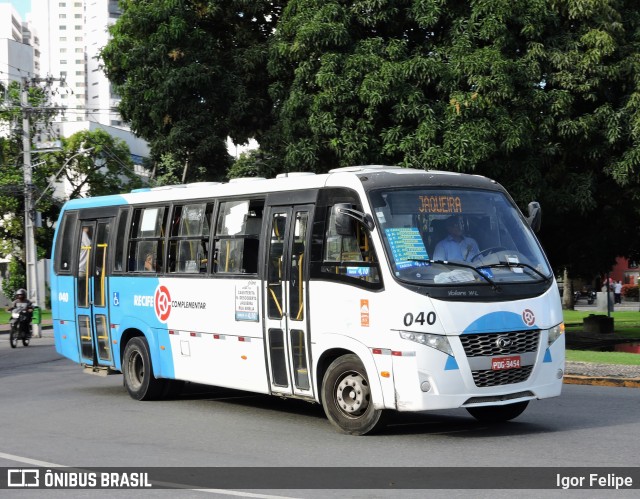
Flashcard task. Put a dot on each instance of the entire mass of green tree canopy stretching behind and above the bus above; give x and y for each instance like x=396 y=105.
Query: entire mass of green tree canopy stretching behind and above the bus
x=541 y=95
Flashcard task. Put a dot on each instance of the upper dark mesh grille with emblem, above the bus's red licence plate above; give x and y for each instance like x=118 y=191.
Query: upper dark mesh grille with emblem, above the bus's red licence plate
x=483 y=345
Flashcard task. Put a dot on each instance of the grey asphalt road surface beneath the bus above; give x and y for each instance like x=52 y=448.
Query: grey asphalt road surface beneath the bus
x=53 y=415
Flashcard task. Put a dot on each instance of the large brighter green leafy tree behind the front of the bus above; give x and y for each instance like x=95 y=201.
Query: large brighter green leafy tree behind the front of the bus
x=541 y=95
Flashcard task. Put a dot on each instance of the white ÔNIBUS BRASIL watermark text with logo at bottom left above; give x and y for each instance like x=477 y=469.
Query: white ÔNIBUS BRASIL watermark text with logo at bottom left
x=58 y=479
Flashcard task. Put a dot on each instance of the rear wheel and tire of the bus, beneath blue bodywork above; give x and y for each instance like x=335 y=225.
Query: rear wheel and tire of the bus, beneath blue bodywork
x=138 y=373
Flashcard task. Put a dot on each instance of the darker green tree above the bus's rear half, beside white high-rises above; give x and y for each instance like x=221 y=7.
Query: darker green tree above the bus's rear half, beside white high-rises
x=191 y=73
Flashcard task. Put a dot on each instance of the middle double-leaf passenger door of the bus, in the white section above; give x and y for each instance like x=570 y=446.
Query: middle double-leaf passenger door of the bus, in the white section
x=286 y=310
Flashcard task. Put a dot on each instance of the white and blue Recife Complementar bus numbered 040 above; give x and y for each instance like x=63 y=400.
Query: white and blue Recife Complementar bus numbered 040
x=366 y=289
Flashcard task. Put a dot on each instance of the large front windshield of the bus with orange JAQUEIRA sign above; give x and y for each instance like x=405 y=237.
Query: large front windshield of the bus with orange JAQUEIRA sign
x=444 y=236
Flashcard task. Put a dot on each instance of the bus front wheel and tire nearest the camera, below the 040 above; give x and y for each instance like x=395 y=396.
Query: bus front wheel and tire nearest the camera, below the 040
x=346 y=397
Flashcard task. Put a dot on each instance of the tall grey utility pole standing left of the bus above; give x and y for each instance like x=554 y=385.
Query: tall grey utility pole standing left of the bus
x=31 y=253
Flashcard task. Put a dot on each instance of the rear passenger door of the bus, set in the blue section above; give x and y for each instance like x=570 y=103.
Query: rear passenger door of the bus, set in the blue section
x=92 y=307
